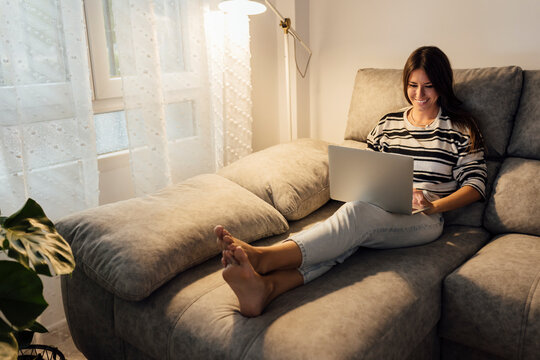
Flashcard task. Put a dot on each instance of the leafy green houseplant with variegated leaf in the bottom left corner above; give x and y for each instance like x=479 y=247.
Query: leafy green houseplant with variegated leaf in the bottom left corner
x=33 y=246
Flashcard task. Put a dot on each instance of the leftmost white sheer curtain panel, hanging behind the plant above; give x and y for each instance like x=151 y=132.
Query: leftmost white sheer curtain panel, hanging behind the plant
x=46 y=130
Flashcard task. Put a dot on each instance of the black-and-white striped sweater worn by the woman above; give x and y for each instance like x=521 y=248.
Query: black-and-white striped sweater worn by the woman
x=442 y=160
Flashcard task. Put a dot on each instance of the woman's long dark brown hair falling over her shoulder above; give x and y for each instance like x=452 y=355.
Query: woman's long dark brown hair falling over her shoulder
x=439 y=71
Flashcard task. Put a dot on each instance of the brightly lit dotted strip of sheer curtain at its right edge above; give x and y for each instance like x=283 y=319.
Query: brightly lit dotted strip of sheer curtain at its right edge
x=230 y=84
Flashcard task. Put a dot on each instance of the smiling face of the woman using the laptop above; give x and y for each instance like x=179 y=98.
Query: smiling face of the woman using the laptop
x=421 y=92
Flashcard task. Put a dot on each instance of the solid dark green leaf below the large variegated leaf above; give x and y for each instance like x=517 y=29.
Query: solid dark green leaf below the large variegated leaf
x=21 y=294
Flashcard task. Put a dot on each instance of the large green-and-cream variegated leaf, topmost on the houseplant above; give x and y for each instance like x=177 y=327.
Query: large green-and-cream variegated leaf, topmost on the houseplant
x=33 y=241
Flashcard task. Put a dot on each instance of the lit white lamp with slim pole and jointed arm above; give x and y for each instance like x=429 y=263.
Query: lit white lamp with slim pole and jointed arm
x=248 y=7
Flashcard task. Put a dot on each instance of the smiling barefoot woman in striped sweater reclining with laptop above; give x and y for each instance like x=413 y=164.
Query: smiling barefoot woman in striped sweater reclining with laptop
x=449 y=173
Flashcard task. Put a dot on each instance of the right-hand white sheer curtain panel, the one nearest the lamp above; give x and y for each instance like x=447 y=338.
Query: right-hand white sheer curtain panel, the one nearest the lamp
x=187 y=112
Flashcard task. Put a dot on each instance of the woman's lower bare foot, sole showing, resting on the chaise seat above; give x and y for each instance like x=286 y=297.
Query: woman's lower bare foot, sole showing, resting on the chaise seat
x=250 y=288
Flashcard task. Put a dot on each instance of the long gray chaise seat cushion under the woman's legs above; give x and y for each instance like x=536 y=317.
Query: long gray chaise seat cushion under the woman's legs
x=378 y=304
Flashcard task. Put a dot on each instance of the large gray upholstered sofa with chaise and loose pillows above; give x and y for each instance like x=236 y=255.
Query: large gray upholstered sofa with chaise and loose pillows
x=148 y=281
